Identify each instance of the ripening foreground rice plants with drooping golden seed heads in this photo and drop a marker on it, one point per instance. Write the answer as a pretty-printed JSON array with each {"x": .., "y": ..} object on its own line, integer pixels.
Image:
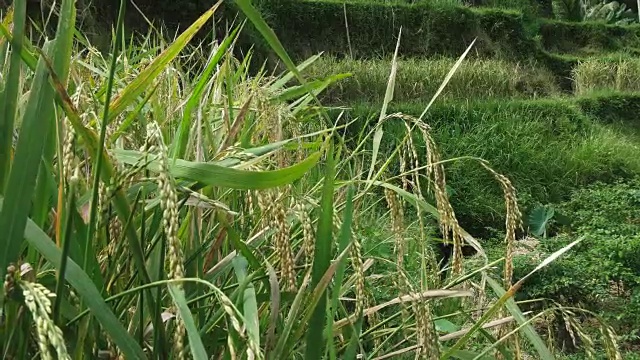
[{"x": 146, "y": 213}]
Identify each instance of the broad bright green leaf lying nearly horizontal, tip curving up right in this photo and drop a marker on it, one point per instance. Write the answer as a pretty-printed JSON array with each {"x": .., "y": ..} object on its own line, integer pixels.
[{"x": 216, "y": 175}]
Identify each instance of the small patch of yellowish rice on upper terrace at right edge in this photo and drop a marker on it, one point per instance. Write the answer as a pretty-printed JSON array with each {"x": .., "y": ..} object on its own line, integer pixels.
[{"x": 595, "y": 75}]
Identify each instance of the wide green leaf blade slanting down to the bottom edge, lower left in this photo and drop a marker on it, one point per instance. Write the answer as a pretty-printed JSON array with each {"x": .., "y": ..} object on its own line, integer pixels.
[{"x": 83, "y": 286}]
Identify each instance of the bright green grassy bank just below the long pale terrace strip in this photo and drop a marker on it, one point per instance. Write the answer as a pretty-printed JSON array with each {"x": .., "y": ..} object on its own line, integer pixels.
[{"x": 548, "y": 148}]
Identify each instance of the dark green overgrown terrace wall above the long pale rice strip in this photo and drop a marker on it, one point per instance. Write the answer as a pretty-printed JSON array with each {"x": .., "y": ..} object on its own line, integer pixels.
[{"x": 308, "y": 27}]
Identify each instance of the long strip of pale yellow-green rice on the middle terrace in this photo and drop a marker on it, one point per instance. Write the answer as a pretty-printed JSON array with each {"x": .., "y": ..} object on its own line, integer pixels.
[{"x": 418, "y": 80}]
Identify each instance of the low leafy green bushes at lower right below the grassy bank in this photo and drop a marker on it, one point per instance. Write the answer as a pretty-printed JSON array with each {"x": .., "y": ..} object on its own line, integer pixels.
[{"x": 601, "y": 273}]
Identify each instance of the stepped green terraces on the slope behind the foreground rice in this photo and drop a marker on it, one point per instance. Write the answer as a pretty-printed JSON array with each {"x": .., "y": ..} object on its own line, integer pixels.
[{"x": 550, "y": 103}]
